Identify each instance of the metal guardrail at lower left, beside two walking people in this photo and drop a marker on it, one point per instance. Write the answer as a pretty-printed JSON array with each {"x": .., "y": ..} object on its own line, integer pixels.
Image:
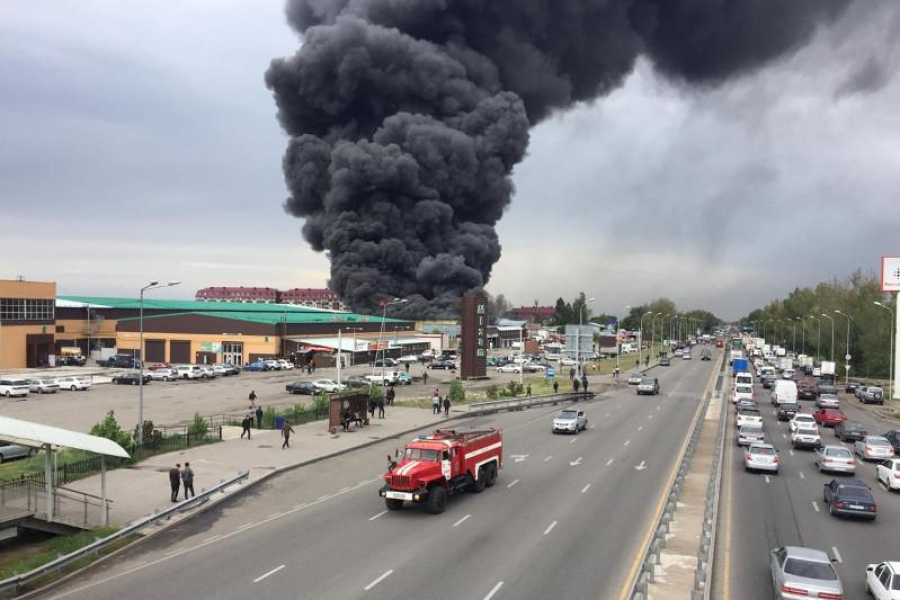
[{"x": 16, "y": 582}]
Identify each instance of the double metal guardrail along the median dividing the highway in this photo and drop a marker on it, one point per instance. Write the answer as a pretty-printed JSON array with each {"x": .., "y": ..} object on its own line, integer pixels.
[{"x": 638, "y": 587}]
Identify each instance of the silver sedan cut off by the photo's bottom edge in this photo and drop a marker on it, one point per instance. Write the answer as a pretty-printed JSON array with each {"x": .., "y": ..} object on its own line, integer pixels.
[{"x": 801, "y": 573}]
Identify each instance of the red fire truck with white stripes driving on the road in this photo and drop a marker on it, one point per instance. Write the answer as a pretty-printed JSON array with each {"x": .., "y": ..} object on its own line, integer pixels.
[{"x": 445, "y": 462}]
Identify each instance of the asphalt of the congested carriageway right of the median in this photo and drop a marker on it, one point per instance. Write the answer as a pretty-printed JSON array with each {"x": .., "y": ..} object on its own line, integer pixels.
[{"x": 760, "y": 513}]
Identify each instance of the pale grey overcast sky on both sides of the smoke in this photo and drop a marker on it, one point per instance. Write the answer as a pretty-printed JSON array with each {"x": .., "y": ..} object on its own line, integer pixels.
[{"x": 139, "y": 142}]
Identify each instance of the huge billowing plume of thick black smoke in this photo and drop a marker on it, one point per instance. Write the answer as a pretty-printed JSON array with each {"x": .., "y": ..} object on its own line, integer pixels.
[{"x": 406, "y": 117}]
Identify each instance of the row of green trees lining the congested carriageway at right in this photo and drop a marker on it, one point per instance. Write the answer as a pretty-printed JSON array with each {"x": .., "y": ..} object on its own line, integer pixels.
[{"x": 807, "y": 320}]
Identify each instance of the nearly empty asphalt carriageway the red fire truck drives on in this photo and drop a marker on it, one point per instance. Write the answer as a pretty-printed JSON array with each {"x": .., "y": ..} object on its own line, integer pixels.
[{"x": 566, "y": 519}]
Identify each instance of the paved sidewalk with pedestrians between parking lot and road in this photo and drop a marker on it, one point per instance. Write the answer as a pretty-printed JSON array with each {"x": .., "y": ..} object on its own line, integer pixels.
[{"x": 139, "y": 490}]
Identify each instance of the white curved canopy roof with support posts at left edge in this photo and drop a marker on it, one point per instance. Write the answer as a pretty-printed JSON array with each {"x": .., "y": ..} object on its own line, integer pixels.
[{"x": 36, "y": 435}]
